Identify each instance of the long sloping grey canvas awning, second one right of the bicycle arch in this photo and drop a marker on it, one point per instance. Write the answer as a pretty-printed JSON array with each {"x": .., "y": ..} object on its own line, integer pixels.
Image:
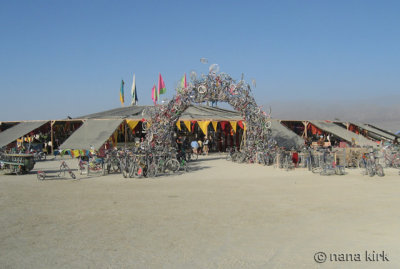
[{"x": 341, "y": 132}]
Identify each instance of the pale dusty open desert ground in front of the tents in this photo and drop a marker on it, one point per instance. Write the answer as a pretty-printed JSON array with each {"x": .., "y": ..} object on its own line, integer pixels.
[{"x": 221, "y": 215}]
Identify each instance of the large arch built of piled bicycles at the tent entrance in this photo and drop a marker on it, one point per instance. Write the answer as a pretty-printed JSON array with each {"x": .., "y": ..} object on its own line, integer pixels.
[{"x": 214, "y": 87}]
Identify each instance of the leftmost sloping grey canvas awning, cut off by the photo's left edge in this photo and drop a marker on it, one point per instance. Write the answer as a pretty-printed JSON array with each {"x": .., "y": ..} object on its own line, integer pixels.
[{"x": 19, "y": 130}]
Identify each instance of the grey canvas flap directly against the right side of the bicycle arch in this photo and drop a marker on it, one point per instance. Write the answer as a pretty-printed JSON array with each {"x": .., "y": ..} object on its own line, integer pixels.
[{"x": 284, "y": 136}]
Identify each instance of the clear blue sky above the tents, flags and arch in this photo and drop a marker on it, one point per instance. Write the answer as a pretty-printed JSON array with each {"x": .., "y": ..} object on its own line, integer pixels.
[{"x": 60, "y": 58}]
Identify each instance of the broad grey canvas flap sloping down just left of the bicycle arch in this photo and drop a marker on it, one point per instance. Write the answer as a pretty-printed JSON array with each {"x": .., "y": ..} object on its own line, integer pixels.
[{"x": 93, "y": 132}]
